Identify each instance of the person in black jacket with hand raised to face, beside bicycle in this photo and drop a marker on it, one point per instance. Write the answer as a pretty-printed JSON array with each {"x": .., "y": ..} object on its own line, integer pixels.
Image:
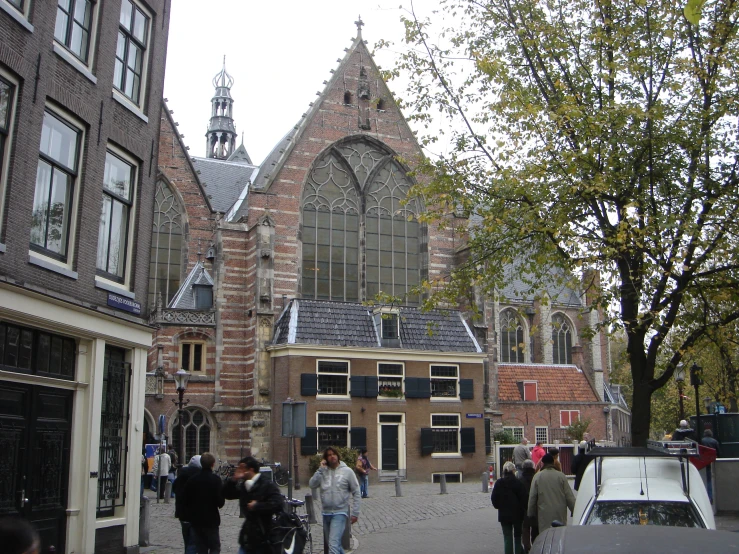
[{"x": 259, "y": 499}]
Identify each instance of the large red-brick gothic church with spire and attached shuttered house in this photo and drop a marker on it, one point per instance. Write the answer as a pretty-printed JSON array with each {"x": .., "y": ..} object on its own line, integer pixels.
[{"x": 295, "y": 278}]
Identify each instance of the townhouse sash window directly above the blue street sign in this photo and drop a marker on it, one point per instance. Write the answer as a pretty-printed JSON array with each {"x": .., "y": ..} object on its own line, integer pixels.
[{"x": 119, "y": 183}]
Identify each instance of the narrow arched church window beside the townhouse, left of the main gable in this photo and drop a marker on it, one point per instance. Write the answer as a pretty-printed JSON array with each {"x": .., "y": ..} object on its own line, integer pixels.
[{"x": 166, "y": 245}]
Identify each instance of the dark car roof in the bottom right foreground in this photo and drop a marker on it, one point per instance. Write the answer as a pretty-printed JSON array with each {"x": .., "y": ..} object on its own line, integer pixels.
[{"x": 634, "y": 539}]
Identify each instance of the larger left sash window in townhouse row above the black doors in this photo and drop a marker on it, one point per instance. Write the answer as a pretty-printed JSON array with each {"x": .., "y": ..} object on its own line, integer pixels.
[{"x": 56, "y": 179}]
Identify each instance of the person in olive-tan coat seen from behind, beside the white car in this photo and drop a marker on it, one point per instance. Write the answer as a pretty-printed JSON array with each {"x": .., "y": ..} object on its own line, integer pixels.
[{"x": 550, "y": 496}]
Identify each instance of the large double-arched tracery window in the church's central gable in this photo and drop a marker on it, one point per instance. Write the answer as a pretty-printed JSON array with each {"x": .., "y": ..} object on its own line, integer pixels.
[{"x": 354, "y": 210}]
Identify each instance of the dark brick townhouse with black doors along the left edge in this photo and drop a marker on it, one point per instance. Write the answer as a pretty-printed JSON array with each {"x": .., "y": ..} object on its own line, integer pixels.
[{"x": 80, "y": 99}]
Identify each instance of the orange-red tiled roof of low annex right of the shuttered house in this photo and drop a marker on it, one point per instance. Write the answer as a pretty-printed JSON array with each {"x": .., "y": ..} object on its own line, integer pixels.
[{"x": 555, "y": 383}]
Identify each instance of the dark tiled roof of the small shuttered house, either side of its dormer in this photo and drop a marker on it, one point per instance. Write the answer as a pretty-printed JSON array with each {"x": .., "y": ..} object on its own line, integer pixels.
[{"x": 353, "y": 325}]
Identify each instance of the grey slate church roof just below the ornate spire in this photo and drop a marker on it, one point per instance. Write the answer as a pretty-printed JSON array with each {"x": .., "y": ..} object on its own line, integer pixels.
[{"x": 224, "y": 181}]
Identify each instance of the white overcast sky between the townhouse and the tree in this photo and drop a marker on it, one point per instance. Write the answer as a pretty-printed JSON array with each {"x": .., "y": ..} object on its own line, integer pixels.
[{"x": 279, "y": 53}]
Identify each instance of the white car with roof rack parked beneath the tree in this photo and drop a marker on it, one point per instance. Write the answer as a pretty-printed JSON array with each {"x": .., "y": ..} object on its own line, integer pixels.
[{"x": 643, "y": 486}]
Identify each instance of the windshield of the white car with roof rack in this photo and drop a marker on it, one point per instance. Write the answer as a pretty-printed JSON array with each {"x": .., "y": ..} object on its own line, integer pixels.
[{"x": 676, "y": 514}]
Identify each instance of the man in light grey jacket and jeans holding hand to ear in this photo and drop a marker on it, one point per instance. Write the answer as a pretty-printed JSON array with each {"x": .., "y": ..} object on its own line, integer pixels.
[{"x": 337, "y": 483}]
